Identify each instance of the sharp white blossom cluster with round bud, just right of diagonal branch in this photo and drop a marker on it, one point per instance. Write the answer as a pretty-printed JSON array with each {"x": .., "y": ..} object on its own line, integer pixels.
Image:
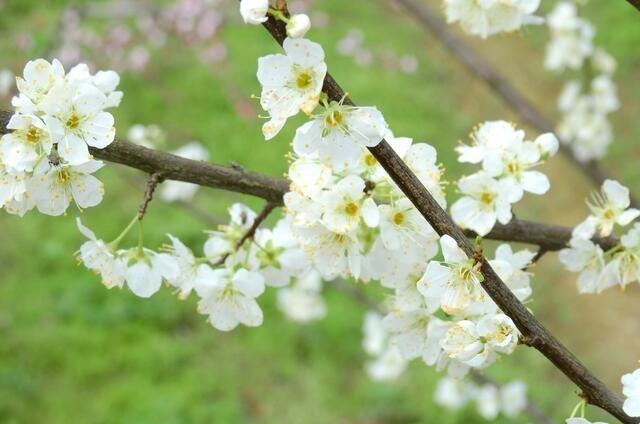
[{"x": 507, "y": 172}]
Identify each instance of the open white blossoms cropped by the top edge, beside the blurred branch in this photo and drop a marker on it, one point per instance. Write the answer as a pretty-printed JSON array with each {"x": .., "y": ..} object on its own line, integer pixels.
[{"x": 488, "y": 17}]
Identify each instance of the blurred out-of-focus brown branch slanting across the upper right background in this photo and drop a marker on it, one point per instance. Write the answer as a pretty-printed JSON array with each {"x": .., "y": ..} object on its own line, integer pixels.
[{"x": 498, "y": 83}]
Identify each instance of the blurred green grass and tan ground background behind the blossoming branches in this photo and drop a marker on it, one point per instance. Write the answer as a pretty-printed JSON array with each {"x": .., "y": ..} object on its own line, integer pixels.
[{"x": 73, "y": 352}]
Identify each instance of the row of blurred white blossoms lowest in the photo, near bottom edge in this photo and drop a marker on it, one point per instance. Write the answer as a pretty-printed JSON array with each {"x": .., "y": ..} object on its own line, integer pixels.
[{"x": 490, "y": 400}]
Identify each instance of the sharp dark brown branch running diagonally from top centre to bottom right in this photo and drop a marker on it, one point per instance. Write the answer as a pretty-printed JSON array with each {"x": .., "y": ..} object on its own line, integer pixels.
[{"x": 541, "y": 339}]
